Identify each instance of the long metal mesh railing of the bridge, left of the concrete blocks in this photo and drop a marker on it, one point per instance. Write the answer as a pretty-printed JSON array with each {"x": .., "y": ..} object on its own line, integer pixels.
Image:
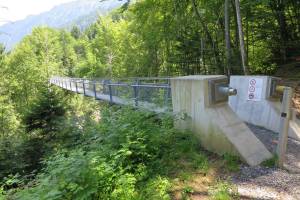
[{"x": 150, "y": 93}]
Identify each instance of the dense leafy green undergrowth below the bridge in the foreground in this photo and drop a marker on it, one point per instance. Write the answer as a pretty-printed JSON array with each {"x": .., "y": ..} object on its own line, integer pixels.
[{"x": 127, "y": 154}]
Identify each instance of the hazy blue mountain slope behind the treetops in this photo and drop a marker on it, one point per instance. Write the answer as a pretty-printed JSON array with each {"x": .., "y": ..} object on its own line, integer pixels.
[{"x": 79, "y": 12}]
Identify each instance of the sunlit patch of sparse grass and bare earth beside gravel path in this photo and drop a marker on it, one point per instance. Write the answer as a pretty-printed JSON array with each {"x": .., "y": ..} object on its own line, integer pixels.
[{"x": 192, "y": 183}]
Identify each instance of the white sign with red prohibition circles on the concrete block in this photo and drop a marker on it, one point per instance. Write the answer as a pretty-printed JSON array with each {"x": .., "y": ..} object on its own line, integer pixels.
[{"x": 255, "y": 89}]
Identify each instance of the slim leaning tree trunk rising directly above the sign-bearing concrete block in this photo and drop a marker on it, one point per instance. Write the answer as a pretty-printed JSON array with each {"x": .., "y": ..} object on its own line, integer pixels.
[{"x": 241, "y": 36}]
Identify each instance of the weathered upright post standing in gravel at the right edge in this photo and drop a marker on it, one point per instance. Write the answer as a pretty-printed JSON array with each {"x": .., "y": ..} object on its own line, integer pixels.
[{"x": 284, "y": 124}]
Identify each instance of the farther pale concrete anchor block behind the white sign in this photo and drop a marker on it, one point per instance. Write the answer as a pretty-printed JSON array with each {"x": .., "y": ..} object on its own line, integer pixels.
[{"x": 264, "y": 112}]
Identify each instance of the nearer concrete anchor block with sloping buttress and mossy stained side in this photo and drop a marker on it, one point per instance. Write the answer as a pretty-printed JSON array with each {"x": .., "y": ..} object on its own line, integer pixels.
[{"x": 218, "y": 128}]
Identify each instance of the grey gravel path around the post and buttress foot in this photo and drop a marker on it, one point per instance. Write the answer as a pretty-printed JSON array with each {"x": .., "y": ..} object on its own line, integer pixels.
[{"x": 264, "y": 183}]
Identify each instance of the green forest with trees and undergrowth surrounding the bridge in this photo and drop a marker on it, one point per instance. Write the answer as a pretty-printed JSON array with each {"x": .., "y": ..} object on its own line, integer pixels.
[{"x": 57, "y": 145}]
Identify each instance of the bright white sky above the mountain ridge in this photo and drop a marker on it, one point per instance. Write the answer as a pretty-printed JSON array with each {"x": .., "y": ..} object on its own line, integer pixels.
[{"x": 13, "y": 10}]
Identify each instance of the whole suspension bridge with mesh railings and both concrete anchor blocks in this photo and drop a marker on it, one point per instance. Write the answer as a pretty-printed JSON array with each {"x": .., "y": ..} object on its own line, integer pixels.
[{"x": 204, "y": 105}]
